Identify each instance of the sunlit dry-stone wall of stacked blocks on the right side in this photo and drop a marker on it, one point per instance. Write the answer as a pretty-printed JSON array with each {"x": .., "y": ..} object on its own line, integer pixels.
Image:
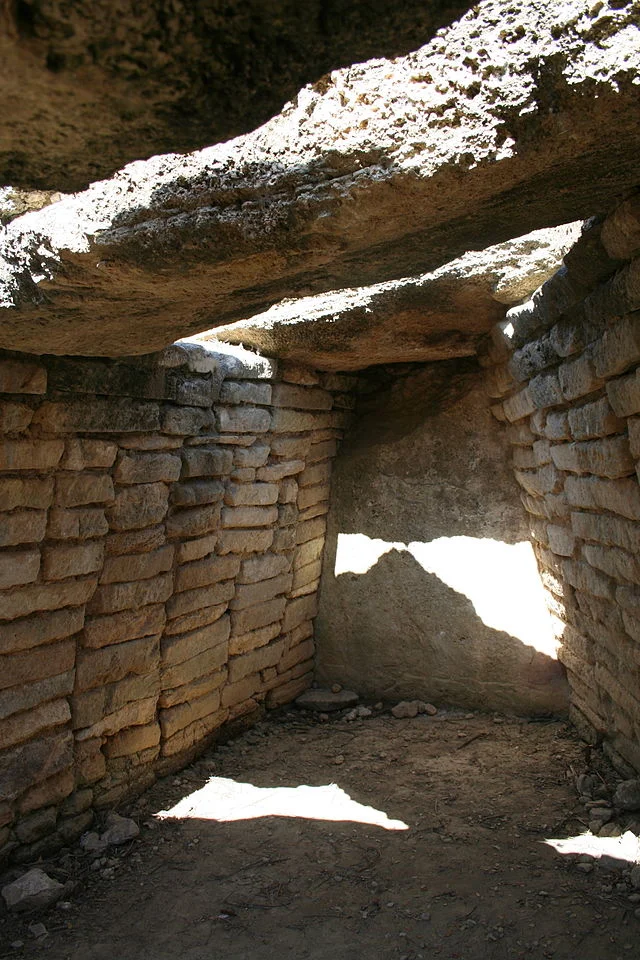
[{"x": 566, "y": 372}]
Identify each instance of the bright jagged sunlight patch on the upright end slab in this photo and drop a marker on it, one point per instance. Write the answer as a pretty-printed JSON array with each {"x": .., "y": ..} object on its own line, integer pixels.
[{"x": 500, "y": 579}]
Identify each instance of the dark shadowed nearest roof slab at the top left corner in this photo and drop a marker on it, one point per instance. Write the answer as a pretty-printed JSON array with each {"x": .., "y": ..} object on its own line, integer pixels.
[{"x": 87, "y": 87}]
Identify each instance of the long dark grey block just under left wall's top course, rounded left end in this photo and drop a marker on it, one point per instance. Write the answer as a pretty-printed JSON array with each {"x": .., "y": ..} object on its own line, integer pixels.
[{"x": 99, "y": 415}]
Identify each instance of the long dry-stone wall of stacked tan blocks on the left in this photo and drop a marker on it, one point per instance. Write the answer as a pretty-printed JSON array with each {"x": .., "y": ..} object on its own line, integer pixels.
[{"x": 161, "y": 533}]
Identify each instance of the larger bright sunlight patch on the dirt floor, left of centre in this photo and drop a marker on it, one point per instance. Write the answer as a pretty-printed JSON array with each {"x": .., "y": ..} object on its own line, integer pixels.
[{"x": 226, "y": 800}]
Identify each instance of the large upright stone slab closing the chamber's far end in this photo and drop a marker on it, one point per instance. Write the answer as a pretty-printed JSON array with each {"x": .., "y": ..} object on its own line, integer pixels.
[{"x": 430, "y": 588}]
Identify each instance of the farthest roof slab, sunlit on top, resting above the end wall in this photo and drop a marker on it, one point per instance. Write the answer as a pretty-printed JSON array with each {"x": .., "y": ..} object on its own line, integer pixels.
[{"x": 411, "y": 320}]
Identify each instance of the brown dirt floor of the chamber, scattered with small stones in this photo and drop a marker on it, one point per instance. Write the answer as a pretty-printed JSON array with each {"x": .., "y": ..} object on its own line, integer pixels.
[{"x": 470, "y": 878}]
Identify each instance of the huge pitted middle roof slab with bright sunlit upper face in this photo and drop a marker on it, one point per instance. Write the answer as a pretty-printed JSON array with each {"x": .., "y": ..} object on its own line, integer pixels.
[{"x": 504, "y": 123}]
